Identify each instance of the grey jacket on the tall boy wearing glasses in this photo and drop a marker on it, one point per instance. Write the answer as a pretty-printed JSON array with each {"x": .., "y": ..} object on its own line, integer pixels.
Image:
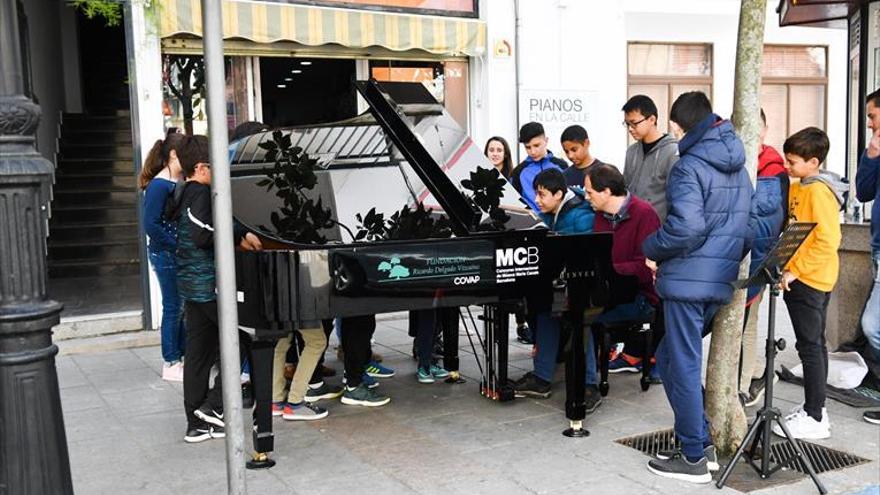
[{"x": 646, "y": 175}]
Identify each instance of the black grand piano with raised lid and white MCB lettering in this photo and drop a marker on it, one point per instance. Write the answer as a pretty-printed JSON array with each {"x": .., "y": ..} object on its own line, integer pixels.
[{"x": 406, "y": 151}]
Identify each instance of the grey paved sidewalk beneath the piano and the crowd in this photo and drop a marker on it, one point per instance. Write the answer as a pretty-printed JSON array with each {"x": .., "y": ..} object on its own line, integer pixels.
[{"x": 125, "y": 430}]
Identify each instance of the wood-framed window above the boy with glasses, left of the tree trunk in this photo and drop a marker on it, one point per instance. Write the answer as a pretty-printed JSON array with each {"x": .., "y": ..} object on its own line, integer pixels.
[{"x": 665, "y": 71}]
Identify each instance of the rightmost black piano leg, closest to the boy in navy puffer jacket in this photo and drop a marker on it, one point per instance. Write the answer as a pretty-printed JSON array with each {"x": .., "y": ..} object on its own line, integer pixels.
[{"x": 575, "y": 369}]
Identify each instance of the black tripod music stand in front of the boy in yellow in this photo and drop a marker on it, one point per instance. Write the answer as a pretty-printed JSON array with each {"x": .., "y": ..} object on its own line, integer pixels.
[{"x": 770, "y": 273}]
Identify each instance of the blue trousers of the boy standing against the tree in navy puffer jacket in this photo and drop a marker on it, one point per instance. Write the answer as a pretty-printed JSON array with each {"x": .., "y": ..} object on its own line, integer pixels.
[{"x": 680, "y": 362}]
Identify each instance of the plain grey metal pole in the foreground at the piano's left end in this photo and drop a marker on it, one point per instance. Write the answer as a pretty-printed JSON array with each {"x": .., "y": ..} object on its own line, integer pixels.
[{"x": 224, "y": 262}]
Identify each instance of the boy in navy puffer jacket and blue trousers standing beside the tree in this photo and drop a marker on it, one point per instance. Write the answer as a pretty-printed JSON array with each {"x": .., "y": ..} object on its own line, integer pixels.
[{"x": 698, "y": 250}]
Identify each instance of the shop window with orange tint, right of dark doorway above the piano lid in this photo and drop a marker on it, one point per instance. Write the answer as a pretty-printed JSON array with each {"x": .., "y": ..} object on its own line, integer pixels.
[{"x": 447, "y": 81}]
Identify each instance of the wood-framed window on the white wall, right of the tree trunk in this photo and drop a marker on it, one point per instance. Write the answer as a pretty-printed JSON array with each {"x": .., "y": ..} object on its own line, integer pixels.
[{"x": 793, "y": 90}]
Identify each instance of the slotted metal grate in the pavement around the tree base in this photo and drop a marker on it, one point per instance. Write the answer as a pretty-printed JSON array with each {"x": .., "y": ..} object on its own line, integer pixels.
[{"x": 824, "y": 459}]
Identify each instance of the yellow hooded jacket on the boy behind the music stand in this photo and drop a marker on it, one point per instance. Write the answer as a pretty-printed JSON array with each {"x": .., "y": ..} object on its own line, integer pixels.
[{"x": 817, "y": 199}]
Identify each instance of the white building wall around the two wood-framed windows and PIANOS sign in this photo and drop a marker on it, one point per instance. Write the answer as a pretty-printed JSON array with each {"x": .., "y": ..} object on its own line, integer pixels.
[{"x": 581, "y": 45}]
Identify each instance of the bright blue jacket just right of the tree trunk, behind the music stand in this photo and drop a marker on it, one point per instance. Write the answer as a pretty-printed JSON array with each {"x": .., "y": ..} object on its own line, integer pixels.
[{"x": 765, "y": 224}]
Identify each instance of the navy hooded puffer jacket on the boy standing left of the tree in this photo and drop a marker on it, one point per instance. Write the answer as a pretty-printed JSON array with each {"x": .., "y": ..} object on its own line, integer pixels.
[{"x": 699, "y": 246}]
